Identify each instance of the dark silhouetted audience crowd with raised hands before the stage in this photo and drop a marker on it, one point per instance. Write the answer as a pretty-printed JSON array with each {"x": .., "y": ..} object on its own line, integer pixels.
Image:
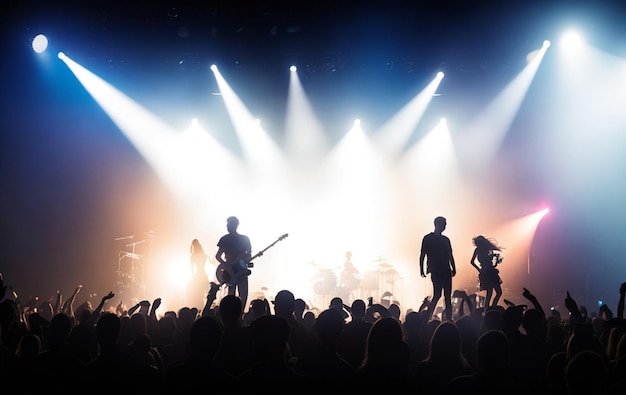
[{"x": 279, "y": 346}]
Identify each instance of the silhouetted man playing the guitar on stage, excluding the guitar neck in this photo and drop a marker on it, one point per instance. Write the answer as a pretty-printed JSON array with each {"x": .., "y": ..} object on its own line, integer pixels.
[{"x": 233, "y": 254}]
